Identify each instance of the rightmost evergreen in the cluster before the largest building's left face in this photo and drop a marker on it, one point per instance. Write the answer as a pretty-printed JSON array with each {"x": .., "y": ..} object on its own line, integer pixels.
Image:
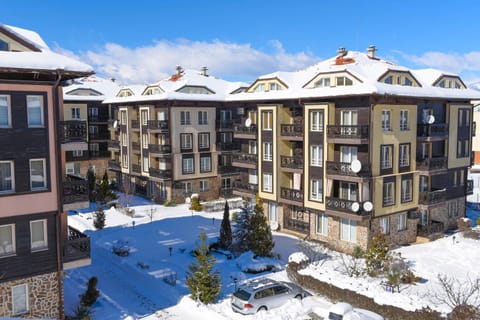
[{"x": 259, "y": 234}]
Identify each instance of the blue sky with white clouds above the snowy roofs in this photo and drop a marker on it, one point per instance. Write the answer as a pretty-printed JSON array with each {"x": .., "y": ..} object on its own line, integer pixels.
[{"x": 142, "y": 41}]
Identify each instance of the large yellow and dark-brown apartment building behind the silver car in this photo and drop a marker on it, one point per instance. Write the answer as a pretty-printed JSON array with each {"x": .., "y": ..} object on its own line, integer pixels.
[{"x": 356, "y": 145}]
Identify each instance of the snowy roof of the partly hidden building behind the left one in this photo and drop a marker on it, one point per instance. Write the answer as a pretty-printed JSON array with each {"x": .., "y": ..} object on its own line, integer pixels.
[{"x": 100, "y": 87}]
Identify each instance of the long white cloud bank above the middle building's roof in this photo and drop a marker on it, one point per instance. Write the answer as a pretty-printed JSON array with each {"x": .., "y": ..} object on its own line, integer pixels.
[{"x": 230, "y": 61}]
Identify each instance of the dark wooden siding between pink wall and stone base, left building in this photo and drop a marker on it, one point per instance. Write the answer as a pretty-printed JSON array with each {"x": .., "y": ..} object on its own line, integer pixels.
[{"x": 25, "y": 262}]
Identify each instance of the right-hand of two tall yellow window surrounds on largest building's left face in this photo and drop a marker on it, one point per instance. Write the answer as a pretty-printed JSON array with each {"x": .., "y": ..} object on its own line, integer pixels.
[{"x": 328, "y": 117}]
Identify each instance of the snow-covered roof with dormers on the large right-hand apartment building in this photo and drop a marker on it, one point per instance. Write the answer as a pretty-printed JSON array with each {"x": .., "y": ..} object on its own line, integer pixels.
[{"x": 367, "y": 71}]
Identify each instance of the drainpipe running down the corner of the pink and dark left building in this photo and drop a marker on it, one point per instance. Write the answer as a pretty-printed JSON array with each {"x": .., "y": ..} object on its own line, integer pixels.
[{"x": 58, "y": 167}]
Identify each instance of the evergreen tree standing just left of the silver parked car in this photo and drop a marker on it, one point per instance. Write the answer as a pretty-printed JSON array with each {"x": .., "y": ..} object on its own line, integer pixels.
[{"x": 204, "y": 283}]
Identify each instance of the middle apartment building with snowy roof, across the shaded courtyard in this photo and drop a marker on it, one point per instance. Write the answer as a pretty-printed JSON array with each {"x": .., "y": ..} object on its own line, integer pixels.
[{"x": 174, "y": 138}]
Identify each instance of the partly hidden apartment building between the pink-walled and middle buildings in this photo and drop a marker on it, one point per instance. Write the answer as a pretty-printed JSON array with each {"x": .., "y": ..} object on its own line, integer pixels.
[{"x": 83, "y": 100}]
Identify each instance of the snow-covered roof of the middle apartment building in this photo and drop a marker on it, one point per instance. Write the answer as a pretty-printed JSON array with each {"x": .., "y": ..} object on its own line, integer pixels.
[{"x": 218, "y": 89}]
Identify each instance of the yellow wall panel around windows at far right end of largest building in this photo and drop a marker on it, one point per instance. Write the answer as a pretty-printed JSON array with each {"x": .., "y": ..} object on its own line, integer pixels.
[{"x": 452, "y": 120}]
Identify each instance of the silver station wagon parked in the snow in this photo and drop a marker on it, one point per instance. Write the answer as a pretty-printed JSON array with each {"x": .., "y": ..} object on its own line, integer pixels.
[{"x": 264, "y": 294}]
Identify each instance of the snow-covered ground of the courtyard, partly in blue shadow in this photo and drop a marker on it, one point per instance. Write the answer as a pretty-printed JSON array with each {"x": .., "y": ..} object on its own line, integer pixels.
[{"x": 134, "y": 287}]
